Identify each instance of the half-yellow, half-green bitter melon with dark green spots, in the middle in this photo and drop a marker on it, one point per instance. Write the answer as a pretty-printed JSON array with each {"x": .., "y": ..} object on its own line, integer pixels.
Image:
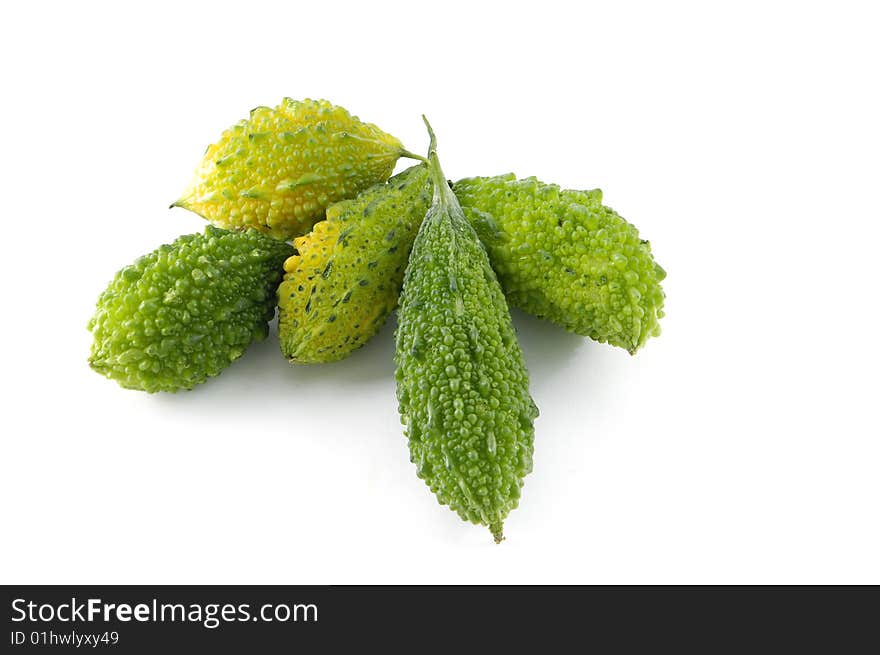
[{"x": 339, "y": 289}]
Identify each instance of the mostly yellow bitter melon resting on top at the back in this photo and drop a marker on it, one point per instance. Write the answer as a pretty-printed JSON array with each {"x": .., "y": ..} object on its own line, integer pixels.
[{"x": 278, "y": 170}]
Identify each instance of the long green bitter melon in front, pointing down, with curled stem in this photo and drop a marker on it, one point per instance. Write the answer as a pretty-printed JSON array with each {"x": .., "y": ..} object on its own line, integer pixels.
[{"x": 462, "y": 384}]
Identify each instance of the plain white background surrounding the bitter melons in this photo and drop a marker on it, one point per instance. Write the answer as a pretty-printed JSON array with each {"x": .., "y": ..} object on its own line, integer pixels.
[{"x": 739, "y": 447}]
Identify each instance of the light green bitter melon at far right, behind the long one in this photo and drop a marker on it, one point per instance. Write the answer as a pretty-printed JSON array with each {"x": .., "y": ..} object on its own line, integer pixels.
[{"x": 562, "y": 255}]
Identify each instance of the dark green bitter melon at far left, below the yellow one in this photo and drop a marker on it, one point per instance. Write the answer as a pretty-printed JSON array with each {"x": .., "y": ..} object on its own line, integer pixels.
[{"x": 184, "y": 312}]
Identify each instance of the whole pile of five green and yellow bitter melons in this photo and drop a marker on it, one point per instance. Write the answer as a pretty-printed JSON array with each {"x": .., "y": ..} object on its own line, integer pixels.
[{"x": 452, "y": 256}]
